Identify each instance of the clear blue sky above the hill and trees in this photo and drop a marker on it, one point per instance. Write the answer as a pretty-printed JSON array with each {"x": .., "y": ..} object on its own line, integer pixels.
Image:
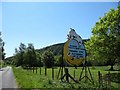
[{"x": 44, "y": 24}]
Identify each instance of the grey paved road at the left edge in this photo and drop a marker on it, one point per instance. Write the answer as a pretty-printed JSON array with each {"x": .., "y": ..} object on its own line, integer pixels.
[{"x": 7, "y": 79}]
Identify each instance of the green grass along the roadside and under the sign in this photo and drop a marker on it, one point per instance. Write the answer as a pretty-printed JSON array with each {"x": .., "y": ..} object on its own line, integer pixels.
[{"x": 28, "y": 79}]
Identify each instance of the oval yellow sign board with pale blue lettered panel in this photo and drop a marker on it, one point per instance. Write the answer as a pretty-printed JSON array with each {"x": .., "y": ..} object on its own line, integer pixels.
[{"x": 74, "y": 50}]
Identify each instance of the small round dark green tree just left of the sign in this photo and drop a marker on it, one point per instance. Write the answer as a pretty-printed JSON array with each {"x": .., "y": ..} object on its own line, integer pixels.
[{"x": 48, "y": 59}]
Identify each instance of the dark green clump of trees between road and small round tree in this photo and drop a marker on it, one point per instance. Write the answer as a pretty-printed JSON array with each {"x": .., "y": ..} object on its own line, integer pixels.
[{"x": 25, "y": 56}]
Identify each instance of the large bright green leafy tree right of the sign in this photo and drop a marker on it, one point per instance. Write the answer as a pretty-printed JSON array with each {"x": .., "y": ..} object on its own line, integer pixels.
[{"x": 105, "y": 41}]
